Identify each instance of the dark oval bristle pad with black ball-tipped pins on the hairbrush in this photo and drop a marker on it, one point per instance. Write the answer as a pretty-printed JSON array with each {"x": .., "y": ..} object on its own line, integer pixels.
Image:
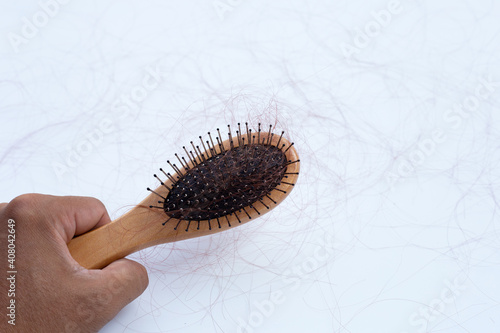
[{"x": 220, "y": 182}]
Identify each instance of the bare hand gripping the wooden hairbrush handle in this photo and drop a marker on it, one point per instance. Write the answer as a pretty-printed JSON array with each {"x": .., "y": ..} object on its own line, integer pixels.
[{"x": 53, "y": 293}]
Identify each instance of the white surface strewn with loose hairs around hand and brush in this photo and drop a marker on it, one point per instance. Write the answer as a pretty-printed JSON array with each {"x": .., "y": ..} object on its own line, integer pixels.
[{"x": 365, "y": 243}]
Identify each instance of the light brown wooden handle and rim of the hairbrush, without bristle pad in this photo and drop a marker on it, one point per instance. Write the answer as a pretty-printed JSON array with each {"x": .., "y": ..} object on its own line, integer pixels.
[{"x": 143, "y": 227}]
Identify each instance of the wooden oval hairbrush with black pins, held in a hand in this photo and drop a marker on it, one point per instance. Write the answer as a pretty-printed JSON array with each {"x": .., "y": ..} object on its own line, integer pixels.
[{"x": 219, "y": 185}]
